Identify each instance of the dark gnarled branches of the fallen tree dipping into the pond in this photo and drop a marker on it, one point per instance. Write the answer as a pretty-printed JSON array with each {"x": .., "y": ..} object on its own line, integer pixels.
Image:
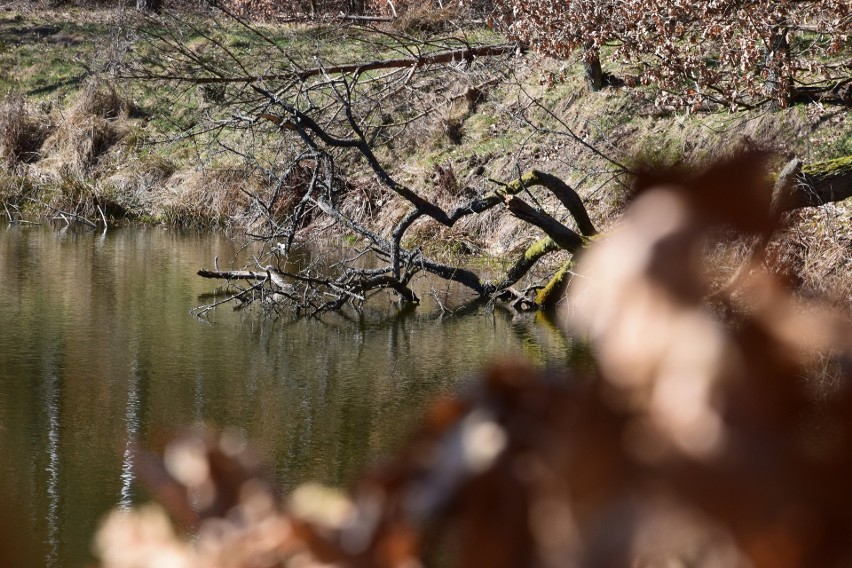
[{"x": 308, "y": 290}]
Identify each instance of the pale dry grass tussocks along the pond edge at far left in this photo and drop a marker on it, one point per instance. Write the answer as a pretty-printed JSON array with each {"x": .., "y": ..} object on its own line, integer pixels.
[{"x": 81, "y": 167}]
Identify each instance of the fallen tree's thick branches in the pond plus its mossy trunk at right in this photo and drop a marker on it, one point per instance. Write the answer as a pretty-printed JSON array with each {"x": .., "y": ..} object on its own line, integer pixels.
[{"x": 814, "y": 185}]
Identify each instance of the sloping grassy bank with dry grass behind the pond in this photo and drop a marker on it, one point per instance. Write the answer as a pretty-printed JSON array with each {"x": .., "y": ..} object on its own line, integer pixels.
[{"x": 78, "y": 143}]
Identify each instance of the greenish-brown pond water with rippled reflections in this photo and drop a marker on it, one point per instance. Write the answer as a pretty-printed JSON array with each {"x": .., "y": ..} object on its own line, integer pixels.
[{"x": 99, "y": 354}]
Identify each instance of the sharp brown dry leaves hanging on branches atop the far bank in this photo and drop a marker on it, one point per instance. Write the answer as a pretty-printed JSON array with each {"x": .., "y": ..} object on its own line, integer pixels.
[{"x": 729, "y": 52}]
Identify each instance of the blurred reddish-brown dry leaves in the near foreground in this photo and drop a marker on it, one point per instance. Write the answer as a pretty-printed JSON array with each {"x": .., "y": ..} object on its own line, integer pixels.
[{"x": 691, "y": 442}]
